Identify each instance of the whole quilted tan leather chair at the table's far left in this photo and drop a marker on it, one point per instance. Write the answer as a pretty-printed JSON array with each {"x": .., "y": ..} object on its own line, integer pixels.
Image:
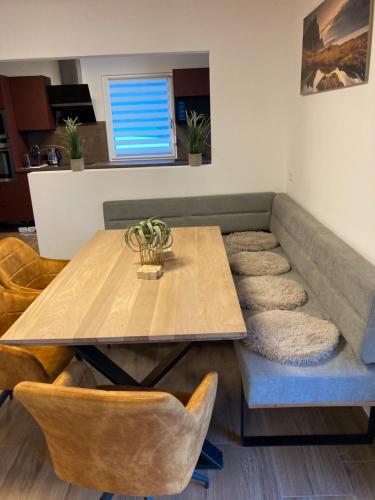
[{"x": 21, "y": 268}]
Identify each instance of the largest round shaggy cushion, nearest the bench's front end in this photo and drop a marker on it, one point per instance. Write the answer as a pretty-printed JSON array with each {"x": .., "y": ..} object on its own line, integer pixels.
[{"x": 290, "y": 337}]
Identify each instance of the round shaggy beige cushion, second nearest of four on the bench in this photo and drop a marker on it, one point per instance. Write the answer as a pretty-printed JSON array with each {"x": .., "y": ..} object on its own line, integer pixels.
[{"x": 265, "y": 293}]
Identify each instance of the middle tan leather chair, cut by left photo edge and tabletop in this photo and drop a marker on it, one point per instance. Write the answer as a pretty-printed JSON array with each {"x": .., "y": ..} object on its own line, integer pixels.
[{"x": 41, "y": 364}]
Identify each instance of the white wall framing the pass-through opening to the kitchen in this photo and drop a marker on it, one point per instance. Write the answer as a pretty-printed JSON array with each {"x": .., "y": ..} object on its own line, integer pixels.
[{"x": 249, "y": 69}]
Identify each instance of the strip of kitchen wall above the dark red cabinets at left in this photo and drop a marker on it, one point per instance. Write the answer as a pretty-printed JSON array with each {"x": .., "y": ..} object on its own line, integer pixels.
[{"x": 29, "y": 68}]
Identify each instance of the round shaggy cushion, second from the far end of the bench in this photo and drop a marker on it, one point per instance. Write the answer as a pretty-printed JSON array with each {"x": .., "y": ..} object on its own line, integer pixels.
[{"x": 258, "y": 263}]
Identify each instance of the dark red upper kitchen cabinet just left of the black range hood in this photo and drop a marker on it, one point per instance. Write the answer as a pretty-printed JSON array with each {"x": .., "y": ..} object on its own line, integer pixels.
[{"x": 30, "y": 103}]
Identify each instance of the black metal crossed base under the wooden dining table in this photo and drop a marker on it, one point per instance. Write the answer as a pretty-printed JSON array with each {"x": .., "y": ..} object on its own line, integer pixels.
[{"x": 211, "y": 457}]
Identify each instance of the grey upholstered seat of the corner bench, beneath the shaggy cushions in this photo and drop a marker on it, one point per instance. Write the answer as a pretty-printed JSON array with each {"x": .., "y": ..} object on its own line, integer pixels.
[{"x": 340, "y": 379}]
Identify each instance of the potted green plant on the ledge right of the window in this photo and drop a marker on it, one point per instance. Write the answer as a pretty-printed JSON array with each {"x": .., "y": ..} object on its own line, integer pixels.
[{"x": 199, "y": 128}]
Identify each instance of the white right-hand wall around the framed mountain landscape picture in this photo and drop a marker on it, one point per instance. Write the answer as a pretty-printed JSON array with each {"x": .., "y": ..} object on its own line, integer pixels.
[{"x": 332, "y": 148}]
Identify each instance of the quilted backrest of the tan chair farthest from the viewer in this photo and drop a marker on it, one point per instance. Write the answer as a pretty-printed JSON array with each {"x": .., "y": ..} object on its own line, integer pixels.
[{"x": 19, "y": 264}]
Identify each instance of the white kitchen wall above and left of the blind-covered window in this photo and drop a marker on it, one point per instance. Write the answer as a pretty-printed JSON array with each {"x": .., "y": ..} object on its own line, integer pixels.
[{"x": 94, "y": 68}]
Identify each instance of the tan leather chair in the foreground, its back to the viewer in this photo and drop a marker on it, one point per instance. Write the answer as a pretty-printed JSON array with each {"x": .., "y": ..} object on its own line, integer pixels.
[{"x": 130, "y": 442}]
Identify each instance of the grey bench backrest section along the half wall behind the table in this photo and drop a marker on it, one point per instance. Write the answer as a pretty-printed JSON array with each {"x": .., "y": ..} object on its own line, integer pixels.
[{"x": 234, "y": 212}]
